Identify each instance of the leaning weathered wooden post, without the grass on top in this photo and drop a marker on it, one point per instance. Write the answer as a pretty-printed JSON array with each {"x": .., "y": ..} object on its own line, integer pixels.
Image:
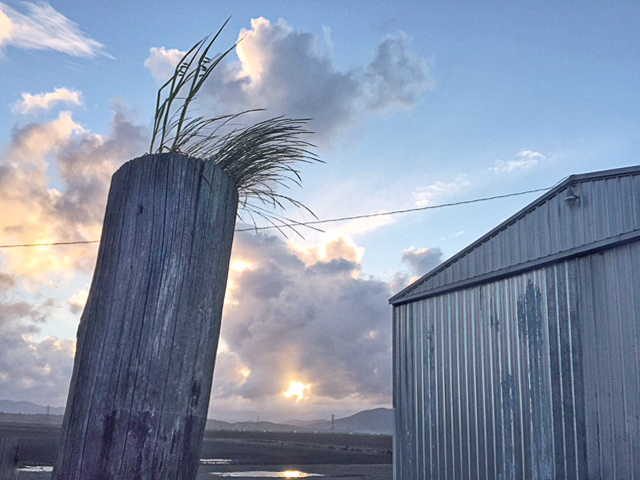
[{"x": 148, "y": 335}]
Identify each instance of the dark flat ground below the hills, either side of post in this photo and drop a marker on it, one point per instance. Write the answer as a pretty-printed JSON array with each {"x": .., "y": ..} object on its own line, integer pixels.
[{"x": 334, "y": 455}]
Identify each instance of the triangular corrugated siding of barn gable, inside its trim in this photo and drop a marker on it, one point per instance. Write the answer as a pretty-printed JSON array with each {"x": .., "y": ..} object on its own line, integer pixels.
[{"x": 607, "y": 207}]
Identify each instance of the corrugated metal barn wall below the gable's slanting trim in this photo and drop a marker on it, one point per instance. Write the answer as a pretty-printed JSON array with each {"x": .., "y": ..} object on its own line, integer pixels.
[{"x": 532, "y": 376}]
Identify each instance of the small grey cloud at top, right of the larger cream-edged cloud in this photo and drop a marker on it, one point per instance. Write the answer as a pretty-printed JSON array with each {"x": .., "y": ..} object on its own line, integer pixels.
[{"x": 396, "y": 76}]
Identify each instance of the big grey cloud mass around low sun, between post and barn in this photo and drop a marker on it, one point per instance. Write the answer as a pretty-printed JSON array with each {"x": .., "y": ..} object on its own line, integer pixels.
[{"x": 304, "y": 316}]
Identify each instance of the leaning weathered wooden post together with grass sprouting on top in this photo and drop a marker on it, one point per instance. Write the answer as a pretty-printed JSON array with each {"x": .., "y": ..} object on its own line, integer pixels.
[{"x": 147, "y": 338}]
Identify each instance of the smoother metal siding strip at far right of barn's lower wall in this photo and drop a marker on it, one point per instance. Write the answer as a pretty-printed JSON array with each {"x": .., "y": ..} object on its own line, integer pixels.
[{"x": 609, "y": 308}]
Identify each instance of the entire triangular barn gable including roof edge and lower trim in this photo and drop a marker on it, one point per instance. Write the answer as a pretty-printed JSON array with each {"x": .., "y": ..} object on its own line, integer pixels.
[{"x": 581, "y": 214}]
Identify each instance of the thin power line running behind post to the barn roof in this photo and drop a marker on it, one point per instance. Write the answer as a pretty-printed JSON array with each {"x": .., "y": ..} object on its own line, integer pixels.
[{"x": 318, "y": 222}]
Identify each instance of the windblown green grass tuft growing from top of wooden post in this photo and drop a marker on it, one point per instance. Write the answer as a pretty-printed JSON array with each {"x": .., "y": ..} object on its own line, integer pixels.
[{"x": 260, "y": 158}]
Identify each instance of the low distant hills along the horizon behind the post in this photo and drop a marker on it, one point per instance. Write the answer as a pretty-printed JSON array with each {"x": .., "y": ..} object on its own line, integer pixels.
[{"x": 376, "y": 421}]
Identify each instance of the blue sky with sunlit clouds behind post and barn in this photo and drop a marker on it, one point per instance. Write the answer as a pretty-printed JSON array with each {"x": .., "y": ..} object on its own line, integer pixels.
[{"x": 412, "y": 104}]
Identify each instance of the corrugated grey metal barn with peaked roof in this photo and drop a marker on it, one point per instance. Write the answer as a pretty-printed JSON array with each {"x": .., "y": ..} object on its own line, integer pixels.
[{"x": 519, "y": 357}]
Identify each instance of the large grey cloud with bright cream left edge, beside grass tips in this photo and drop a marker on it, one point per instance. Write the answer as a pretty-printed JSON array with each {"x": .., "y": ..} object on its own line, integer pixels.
[{"x": 282, "y": 70}]
